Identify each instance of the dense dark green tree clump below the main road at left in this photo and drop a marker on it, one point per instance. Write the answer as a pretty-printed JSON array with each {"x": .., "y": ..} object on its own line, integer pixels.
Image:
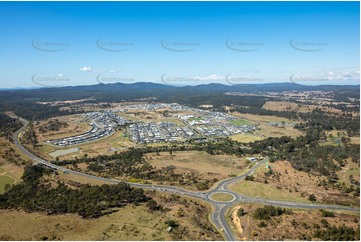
[{"x": 35, "y": 195}]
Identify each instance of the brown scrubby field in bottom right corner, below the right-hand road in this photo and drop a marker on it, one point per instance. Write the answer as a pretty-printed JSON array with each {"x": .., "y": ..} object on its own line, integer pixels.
[{"x": 287, "y": 226}]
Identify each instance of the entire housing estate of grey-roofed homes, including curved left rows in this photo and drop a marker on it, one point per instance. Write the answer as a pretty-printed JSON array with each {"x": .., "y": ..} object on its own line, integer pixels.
[{"x": 199, "y": 124}]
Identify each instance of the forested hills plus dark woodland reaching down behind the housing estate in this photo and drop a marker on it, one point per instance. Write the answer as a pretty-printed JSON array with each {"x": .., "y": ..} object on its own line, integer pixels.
[{"x": 24, "y": 102}]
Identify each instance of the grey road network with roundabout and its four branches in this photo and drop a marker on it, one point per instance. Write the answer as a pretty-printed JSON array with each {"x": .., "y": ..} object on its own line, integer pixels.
[{"x": 218, "y": 216}]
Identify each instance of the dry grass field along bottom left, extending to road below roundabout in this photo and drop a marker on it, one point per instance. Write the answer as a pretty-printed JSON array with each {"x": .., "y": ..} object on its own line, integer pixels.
[{"x": 133, "y": 223}]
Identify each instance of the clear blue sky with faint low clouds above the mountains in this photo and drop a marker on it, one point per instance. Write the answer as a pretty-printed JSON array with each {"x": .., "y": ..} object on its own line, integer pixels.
[{"x": 178, "y": 43}]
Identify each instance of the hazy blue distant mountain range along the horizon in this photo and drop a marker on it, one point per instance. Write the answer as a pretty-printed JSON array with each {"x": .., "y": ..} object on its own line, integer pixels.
[{"x": 118, "y": 91}]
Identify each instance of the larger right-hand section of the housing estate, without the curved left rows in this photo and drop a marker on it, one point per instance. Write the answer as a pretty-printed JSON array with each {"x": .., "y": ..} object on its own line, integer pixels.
[{"x": 199, "y": 124}]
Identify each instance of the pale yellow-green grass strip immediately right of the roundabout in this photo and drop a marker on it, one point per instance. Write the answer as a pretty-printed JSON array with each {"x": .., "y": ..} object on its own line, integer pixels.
[{"x": 261, "y": 190}]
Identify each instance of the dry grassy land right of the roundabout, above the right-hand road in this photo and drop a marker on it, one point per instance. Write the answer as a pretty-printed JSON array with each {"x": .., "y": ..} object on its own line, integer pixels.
[{"x": 292, "y": 185}]
